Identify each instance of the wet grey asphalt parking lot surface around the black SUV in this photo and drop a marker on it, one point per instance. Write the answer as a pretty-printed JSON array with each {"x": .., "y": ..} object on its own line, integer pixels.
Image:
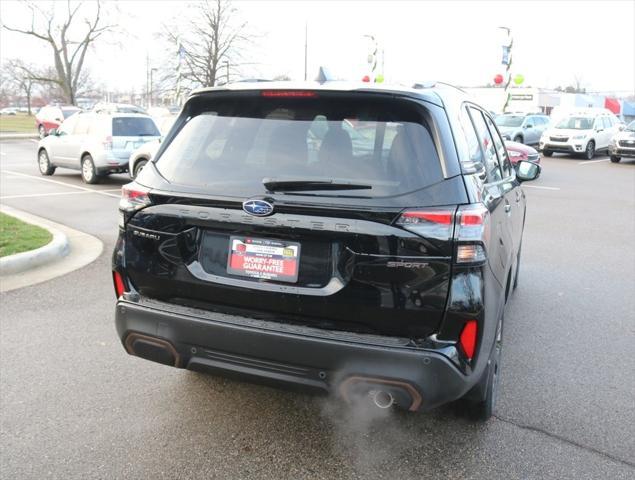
[{"x": 75, "y": 405}]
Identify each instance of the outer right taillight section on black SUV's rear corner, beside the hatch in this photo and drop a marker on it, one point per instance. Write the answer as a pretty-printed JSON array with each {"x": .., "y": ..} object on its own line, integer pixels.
[{"x": 472, "y": 233}]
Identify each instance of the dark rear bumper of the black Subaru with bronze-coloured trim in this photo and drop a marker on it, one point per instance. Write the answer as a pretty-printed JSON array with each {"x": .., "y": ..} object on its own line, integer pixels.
[{"x": 268, "y": 352}]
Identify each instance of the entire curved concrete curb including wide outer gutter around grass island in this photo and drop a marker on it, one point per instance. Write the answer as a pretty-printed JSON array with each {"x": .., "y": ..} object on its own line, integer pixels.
[{"x": 69, "y": 250}]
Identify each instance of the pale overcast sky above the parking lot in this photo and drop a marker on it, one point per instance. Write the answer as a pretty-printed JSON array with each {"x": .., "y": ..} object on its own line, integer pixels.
[{"x": 454, "y": 41}]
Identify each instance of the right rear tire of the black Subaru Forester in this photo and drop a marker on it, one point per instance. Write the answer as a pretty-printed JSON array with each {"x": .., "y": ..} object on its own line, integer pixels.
[{"x": 482, "y": 409}]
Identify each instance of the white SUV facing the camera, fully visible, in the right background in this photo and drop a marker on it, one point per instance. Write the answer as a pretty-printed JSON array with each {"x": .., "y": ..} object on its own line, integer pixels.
[{"x": 583, "y": 133}]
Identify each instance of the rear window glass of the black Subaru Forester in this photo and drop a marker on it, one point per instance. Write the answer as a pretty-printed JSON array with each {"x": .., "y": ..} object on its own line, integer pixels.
[{"x": 229, "y": 147}]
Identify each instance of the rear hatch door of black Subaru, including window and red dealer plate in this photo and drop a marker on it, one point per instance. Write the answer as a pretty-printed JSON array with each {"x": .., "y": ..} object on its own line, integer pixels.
[{"x": 289, "y": 209}]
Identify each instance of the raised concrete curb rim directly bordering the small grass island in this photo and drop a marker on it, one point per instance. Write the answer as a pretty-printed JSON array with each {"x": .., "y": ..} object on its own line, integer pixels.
[{"x": 19, "y": 262}]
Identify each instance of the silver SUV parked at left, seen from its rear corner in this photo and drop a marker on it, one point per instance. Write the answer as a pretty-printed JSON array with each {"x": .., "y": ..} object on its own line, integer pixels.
[{"x": 97, "y": 144}]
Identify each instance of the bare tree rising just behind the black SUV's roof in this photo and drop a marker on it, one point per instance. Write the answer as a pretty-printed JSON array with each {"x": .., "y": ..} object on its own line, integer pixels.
[{"x": 212, "y": 42}]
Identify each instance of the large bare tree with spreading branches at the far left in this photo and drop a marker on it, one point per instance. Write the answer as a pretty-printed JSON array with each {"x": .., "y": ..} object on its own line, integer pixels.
[{"x": 68, "y": 39}]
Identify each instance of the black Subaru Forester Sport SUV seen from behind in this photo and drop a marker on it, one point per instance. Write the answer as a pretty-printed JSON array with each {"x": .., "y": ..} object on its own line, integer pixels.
[{"x": 352, "y": 239}]
